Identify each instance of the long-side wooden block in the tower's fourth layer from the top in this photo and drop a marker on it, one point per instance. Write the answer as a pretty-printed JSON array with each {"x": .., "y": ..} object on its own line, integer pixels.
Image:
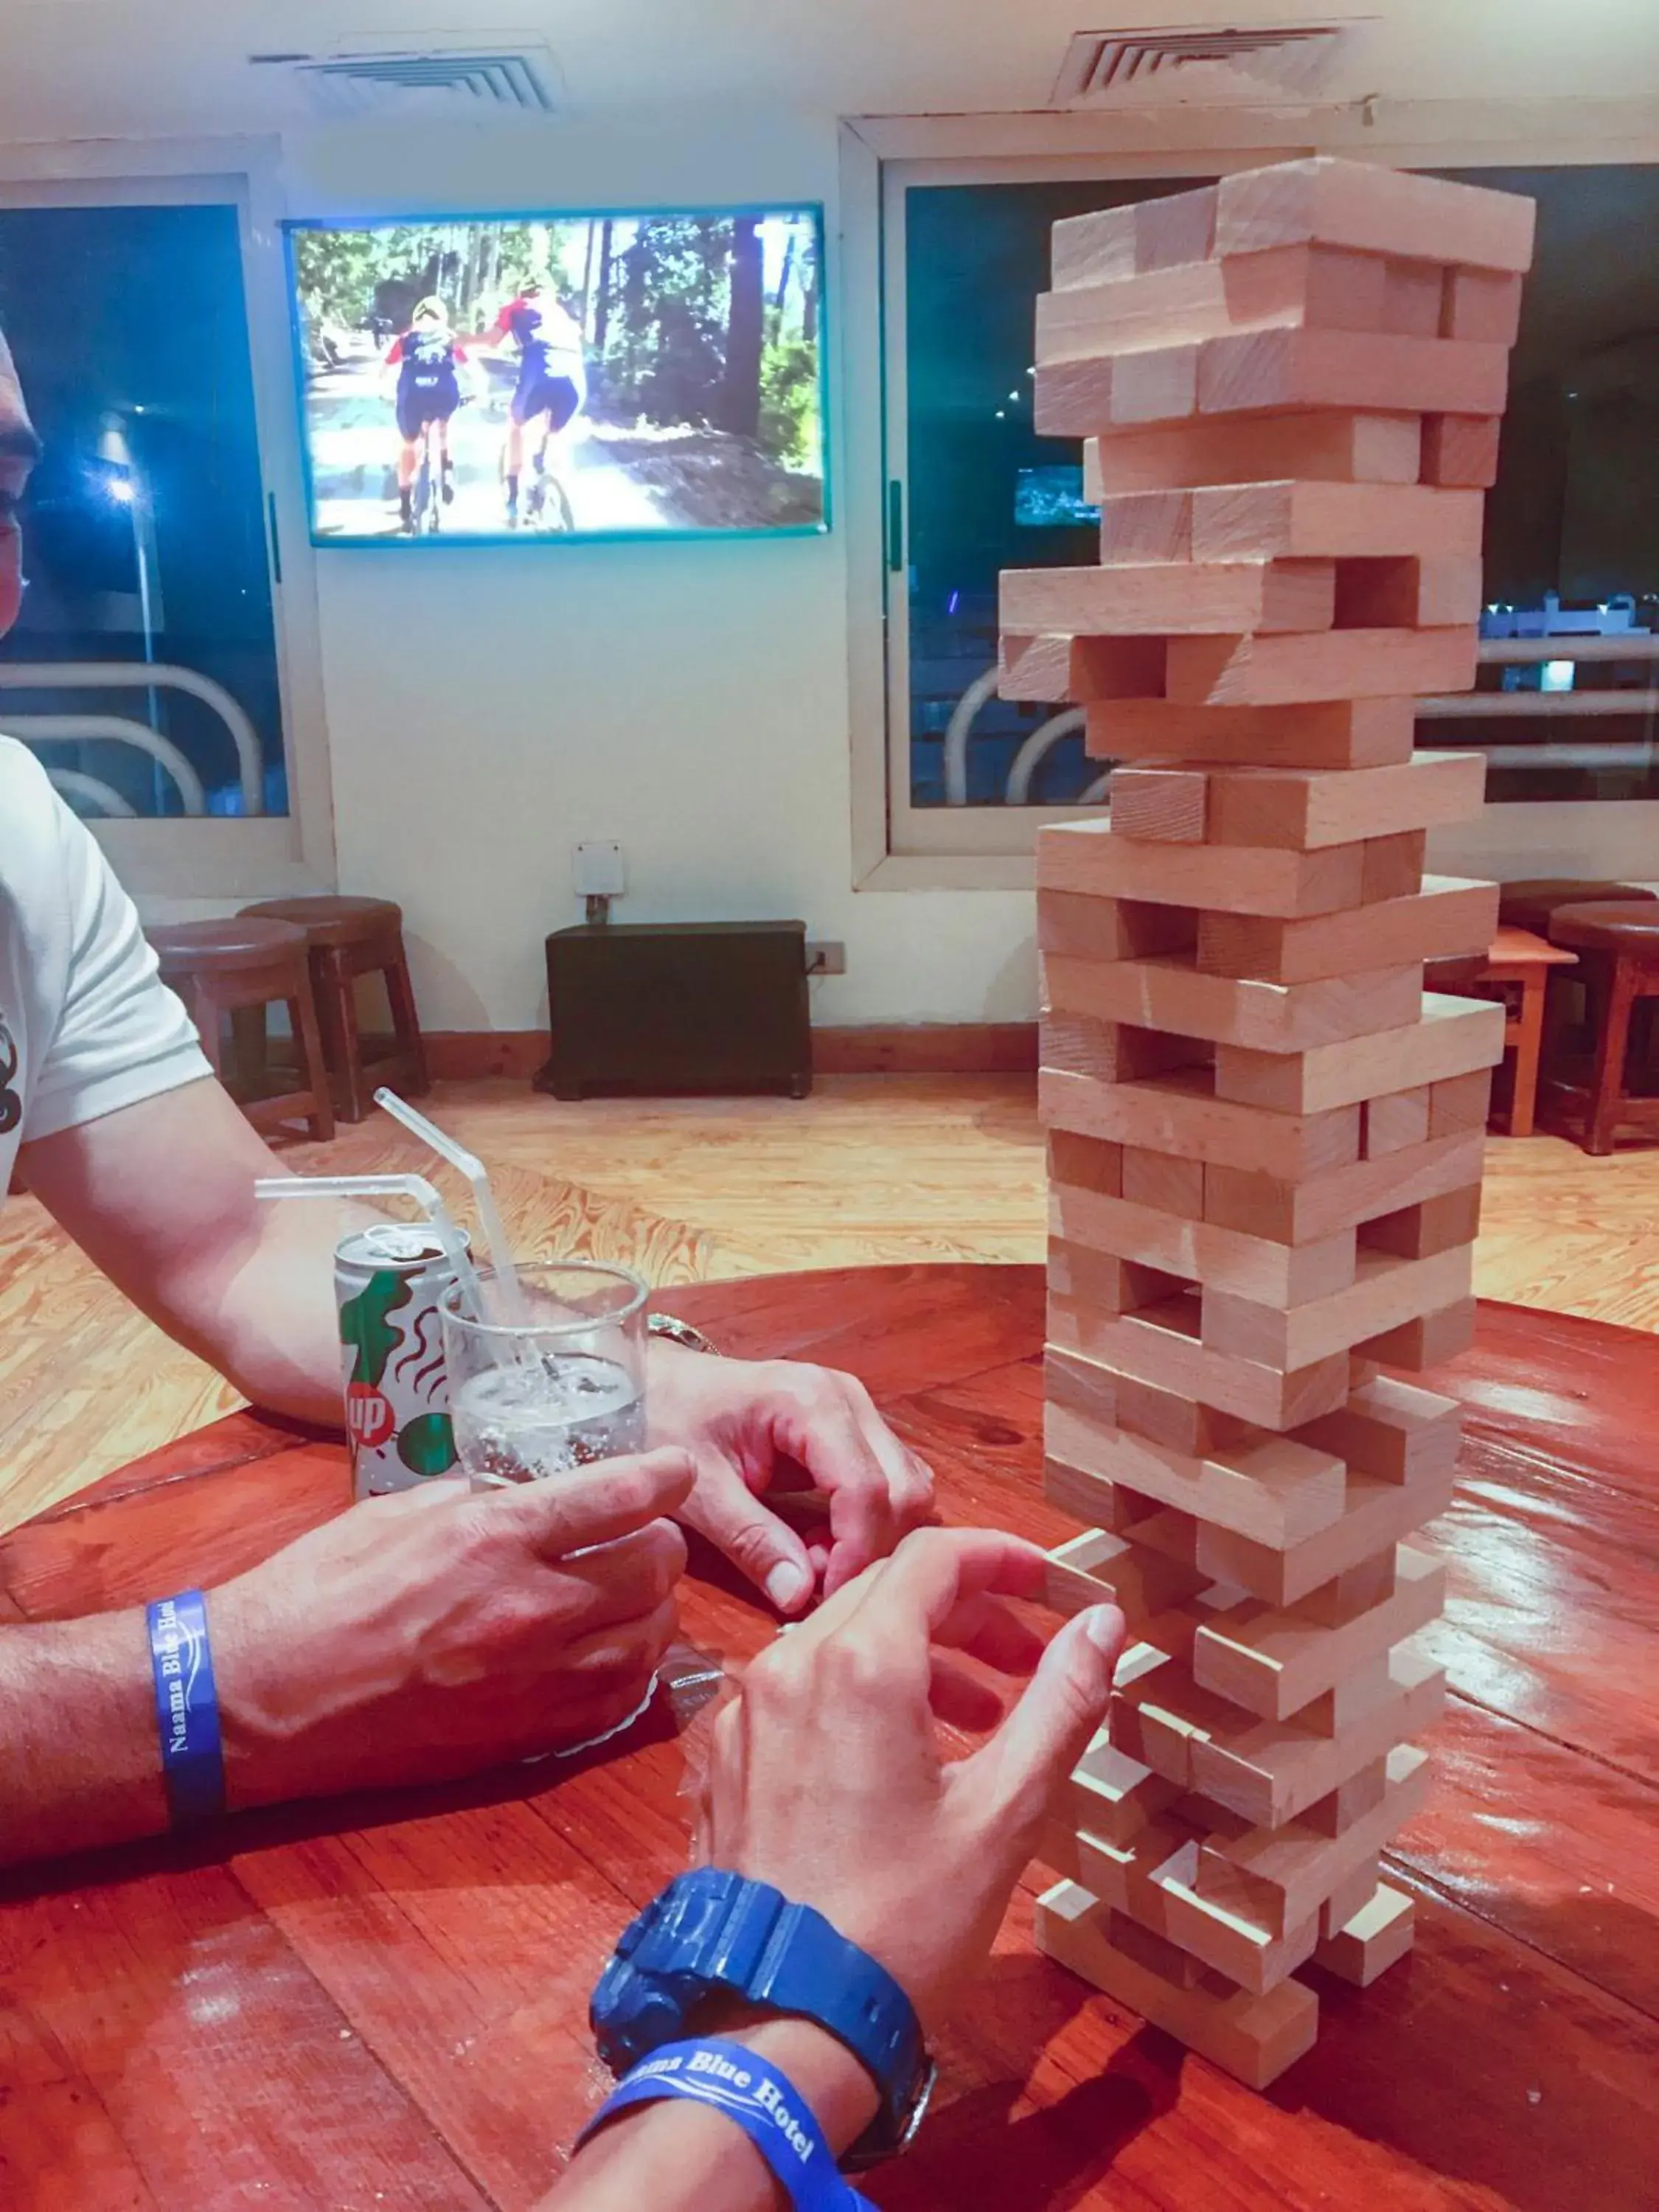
[{"x": 1328, "y": 448}]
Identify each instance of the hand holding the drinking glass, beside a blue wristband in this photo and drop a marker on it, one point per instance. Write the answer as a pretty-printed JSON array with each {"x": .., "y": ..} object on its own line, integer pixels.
[{"x": 439, "y": 1634}]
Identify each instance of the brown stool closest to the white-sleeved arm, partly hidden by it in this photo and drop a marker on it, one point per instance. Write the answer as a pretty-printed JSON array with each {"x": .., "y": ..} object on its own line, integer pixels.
[{"x": 238, "y": 966}]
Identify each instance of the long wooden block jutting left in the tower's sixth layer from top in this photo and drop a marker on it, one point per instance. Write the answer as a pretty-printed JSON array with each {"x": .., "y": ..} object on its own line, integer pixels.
[{"x": 1182, "y": 596}]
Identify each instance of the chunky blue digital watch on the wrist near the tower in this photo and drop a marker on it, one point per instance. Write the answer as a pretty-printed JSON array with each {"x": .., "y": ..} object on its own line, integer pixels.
[{"x": 716, "y": 1934}]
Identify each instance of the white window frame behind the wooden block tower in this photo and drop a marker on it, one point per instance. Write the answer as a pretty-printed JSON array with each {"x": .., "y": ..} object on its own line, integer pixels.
[{"x": 906, "y": 848}]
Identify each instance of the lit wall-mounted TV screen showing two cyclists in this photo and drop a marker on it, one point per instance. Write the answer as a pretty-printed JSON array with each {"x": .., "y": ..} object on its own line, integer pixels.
[{"x": 563, "y": 377}]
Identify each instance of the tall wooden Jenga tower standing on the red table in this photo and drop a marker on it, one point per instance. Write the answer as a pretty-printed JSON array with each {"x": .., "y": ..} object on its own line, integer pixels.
[{"x": 1266, "y": 1140}]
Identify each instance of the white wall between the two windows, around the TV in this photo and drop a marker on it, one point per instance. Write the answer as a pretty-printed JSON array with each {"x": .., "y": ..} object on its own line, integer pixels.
[{"x": 492, "y": 707}]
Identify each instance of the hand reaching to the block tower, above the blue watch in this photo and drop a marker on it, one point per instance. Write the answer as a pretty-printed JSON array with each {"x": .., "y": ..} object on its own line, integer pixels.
[{"x": 826, "y": 1773}]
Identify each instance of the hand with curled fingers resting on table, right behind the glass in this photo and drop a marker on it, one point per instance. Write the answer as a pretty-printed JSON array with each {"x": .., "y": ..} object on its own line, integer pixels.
[{"x": 740, "y": 1419}]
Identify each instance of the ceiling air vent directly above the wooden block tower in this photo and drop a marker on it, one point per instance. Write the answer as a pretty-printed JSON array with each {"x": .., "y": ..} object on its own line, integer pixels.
[{"x": 1202, "y": 65}]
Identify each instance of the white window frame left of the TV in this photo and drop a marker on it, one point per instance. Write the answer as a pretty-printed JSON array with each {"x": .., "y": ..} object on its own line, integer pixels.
[{"x": 225, "y": 857}]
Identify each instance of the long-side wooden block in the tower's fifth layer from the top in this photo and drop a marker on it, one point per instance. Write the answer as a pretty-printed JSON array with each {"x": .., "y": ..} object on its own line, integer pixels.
[{"x": 1311, "y": 521}]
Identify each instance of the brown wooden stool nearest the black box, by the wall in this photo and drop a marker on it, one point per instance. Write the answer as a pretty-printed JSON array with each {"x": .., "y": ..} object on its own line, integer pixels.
[{"x": 348, "y": 939}]
